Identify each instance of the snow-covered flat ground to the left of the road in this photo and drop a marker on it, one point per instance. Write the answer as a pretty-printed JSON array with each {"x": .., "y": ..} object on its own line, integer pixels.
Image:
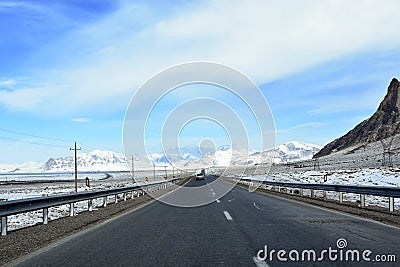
[{"x": 97, "y": 182}]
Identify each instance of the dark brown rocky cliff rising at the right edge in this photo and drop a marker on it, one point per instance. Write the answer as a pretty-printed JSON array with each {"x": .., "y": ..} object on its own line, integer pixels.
[{"x": 385, "y": 122}]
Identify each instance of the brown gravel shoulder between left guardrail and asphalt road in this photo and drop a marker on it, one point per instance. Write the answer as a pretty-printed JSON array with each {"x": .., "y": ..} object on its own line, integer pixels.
[{"x": 26, "y": 240}]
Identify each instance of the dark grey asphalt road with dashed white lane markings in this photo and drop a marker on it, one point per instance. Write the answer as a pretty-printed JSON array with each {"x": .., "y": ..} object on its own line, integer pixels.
[{"x": 228, "y": 232}]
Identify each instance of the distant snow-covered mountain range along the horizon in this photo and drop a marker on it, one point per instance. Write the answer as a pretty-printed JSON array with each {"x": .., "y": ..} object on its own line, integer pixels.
[{"x": 99, "y": 160}]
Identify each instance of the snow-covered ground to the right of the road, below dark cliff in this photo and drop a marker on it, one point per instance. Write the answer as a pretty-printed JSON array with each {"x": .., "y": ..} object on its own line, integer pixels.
[{"x": 366, "y": 177}]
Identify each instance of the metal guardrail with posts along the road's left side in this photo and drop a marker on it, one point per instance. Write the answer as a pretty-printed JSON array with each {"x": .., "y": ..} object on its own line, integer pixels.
[{"x": 18, "y": 206}]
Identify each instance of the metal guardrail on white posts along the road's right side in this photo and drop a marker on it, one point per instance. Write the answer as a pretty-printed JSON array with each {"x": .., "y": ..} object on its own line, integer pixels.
[{"x": 383, "y": 191}]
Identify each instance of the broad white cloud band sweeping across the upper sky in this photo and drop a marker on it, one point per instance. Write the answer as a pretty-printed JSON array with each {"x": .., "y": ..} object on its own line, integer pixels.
[{"x": 111, "y": 60}]
